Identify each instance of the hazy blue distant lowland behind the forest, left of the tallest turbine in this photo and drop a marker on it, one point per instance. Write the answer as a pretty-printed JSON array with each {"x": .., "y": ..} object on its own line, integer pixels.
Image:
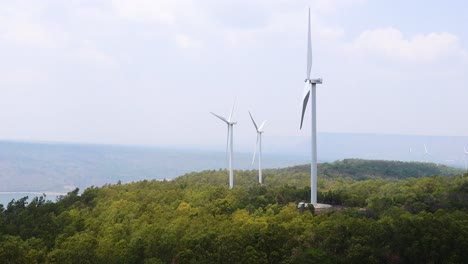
[{"x": 41, "y": 167}]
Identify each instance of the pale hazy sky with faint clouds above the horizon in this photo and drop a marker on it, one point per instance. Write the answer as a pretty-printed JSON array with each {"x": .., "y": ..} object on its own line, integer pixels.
[{"x": 149, "y": 72}]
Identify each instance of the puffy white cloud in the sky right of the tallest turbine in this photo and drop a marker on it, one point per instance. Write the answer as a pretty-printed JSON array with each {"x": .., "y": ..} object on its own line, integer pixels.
[{"x": 390, "y": 43}]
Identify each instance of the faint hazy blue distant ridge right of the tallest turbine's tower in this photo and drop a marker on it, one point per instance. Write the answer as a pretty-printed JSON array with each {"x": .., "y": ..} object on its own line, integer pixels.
[{"x": 446, "y": 150}]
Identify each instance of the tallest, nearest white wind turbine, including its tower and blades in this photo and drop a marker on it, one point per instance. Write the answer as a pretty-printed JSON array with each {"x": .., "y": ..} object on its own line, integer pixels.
[{"x": 308, "y": 90}]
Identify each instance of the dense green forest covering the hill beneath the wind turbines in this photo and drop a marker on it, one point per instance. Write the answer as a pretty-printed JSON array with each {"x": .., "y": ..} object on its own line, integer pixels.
[{"x": 385, "y": 212}]
